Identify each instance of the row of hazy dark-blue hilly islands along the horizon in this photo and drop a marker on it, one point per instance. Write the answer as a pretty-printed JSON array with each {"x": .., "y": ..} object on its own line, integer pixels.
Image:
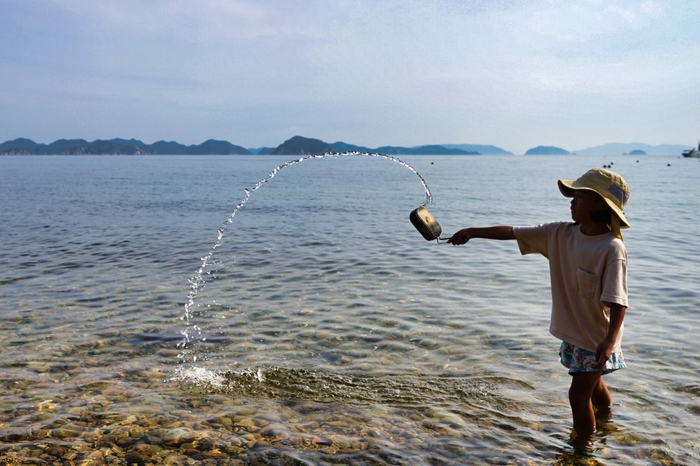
[{"x": 299, "y": 145}]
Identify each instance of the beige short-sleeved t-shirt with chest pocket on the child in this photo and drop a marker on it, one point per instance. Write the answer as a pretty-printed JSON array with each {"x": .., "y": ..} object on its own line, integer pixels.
[{"x": 587, "y": 273}]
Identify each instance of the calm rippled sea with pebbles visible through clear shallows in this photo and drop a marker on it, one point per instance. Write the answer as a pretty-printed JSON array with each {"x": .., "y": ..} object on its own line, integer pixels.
[{"x": 271, "y": 310}]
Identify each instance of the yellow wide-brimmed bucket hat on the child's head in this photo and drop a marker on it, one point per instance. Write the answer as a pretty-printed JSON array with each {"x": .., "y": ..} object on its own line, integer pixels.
[{"x": 610, "y": 186}]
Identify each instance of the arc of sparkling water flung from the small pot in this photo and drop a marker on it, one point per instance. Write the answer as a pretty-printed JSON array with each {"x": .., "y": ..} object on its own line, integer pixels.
[{"x": 195, "y": 282}]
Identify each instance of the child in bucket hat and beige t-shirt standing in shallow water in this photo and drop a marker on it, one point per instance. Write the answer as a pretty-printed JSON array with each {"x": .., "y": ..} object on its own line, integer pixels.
[{"x": 588, "y": 272}]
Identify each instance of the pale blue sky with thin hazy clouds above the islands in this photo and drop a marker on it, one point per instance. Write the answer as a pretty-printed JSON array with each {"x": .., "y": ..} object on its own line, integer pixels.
[{"x": 515, "y": 74}]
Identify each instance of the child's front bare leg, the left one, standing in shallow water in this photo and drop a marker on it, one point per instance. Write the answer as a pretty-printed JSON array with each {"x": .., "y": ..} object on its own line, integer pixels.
[{"x": 583, "y": 386}]
